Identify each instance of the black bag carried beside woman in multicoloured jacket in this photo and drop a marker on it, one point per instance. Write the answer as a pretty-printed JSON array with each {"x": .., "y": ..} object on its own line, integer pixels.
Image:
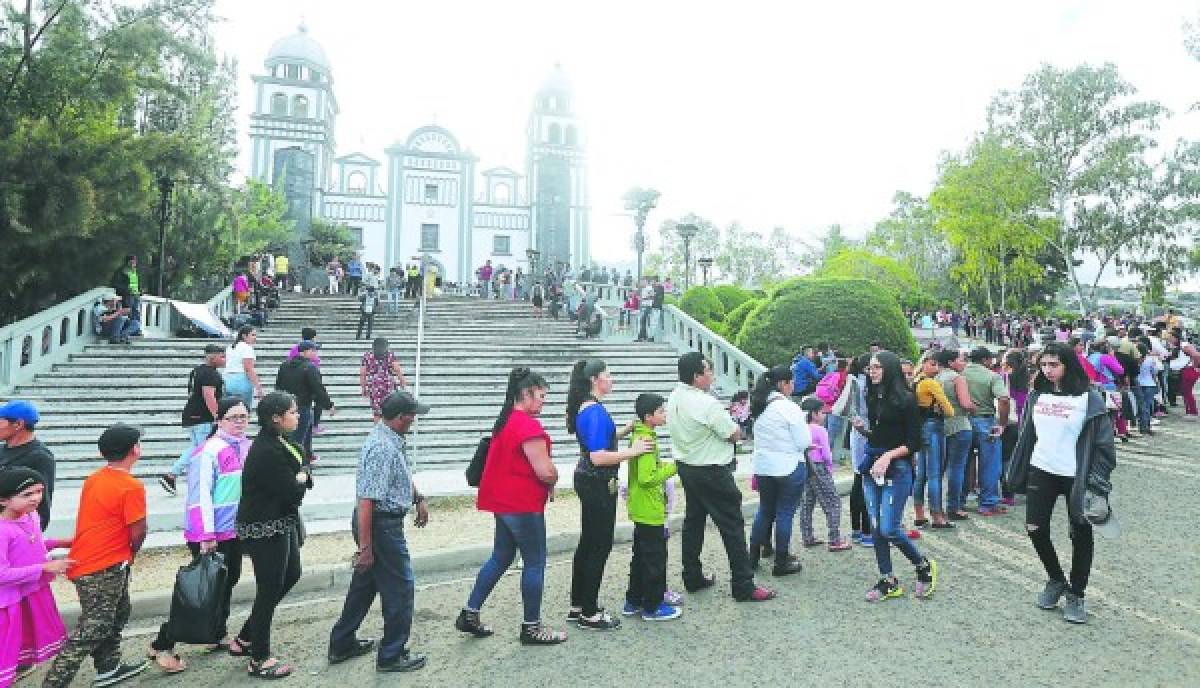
[{"x": 196, "y": 603}]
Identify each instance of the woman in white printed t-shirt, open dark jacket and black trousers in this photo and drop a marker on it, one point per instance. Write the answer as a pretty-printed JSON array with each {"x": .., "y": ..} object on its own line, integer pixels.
[{"x": 1065, "y": 447}]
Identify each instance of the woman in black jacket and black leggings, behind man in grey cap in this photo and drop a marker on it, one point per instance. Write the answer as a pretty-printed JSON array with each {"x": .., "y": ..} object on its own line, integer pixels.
[{"x": 274, "y": 482}]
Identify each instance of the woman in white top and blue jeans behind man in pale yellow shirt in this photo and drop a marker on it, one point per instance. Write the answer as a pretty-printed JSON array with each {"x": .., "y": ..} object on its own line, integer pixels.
[{"x": 782, "y": 438}]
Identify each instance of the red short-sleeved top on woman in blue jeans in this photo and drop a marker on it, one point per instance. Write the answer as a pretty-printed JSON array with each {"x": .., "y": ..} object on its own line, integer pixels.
[{"x": 509, "y": 484}]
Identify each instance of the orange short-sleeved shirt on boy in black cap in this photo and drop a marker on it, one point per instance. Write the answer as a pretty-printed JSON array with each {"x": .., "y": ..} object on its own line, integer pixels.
[{"x": 111, "y": 501}]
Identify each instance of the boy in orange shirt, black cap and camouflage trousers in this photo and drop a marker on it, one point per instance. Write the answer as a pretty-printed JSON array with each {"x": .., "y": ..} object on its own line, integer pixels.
[{"x": 111, "y": 528}]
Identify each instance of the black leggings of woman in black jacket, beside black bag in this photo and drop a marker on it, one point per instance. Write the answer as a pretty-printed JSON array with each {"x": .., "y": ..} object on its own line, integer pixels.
[{"x": 277, "y": 570}]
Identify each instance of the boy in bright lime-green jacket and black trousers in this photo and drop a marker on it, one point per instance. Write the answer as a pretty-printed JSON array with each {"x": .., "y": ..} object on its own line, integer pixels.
[{"x": 649, "y": 511}]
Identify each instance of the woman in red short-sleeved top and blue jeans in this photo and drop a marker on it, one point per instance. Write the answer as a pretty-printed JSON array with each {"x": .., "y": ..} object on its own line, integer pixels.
[{"x": 518, "y": 481}]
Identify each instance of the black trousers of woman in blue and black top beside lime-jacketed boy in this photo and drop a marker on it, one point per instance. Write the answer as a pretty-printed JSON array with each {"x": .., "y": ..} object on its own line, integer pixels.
[{"x": 598, "y": 518}]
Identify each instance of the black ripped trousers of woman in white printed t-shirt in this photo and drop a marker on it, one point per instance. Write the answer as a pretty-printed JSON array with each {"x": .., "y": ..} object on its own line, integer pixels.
[{"x": 1042, "y": 493}]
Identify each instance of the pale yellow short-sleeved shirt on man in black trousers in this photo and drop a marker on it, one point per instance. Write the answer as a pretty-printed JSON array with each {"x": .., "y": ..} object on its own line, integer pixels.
[{"x": 700, "y": 428}]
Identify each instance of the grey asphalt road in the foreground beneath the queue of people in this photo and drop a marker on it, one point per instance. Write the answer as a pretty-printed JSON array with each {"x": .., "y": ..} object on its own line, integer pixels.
[{"x": 981, "y": 629}]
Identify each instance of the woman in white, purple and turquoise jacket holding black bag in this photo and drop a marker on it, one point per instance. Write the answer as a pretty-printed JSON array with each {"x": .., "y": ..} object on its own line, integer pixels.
[{"x": 214, "y": 490}]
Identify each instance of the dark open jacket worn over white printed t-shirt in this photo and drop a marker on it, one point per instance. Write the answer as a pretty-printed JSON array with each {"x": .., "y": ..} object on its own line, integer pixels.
[{"x": 1095, "y": 453}]
